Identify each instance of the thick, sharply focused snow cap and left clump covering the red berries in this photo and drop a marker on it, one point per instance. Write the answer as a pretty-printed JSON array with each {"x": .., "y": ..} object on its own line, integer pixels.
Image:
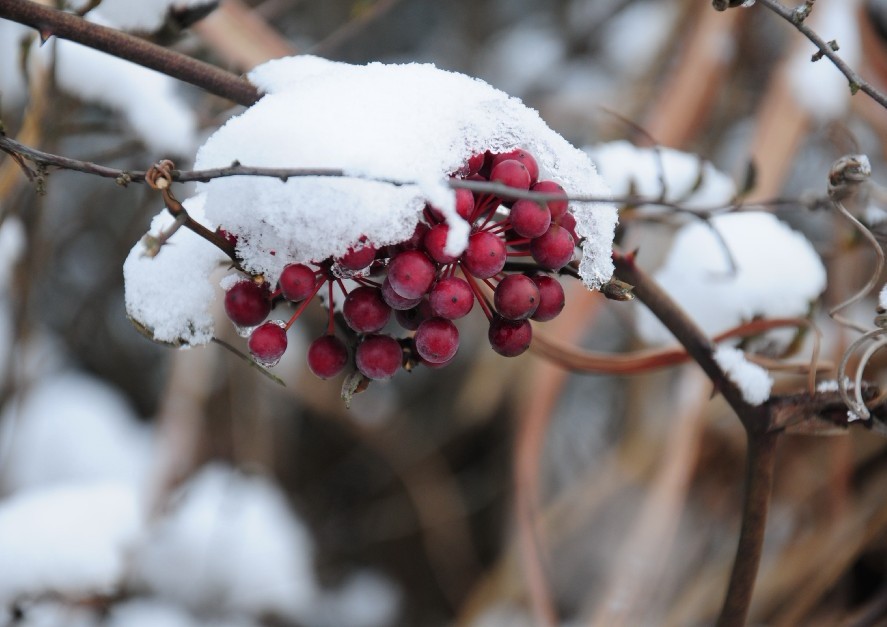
[{"x": 413, "y": 124}]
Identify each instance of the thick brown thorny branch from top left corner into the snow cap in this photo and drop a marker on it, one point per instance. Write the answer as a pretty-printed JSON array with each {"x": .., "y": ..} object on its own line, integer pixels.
[{"x": 51, "y": 22}]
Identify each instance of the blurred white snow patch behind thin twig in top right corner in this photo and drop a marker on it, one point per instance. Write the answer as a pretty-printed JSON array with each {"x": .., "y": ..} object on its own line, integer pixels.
[{"x": 819, "y": 87}]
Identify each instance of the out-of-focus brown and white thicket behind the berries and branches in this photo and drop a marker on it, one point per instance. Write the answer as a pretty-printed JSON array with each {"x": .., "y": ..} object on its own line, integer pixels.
[{"x": 143, "y": 485}]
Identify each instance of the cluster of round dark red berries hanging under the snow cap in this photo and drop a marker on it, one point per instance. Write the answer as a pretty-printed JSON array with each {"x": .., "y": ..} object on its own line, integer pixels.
[{"x": 423, "y": 287}]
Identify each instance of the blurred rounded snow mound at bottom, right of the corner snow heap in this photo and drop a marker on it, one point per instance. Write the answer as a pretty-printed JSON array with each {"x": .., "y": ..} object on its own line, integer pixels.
[{"x": 230, "y": 543}]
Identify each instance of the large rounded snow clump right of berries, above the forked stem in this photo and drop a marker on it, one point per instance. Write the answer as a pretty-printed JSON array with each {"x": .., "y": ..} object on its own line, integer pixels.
[{"x": 778, "y": 274}]
